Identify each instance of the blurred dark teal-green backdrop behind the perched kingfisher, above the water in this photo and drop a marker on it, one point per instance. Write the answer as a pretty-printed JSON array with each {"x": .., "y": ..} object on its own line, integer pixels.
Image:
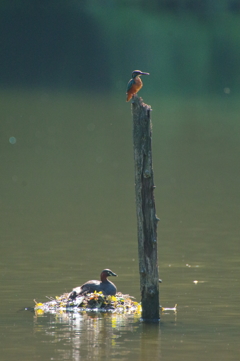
[{"x": 189, "y": 47}]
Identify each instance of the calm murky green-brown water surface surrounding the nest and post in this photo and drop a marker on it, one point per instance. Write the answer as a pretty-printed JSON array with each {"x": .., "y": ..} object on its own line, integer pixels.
[{"x": 67, "y": 211}]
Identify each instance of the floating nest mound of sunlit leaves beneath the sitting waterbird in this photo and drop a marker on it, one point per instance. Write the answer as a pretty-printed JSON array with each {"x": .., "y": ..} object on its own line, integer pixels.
[{"x": 94, "y": 302}]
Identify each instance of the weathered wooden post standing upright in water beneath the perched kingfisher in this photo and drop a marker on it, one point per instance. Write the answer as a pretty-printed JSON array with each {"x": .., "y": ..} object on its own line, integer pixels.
[{"x": 146, "y": 212}]
